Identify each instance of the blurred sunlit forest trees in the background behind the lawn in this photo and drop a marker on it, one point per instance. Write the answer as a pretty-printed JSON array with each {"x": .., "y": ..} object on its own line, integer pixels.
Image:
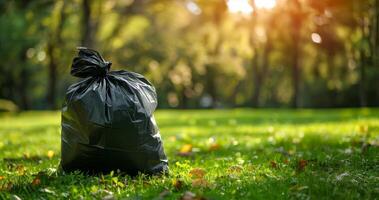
[{"x": 197, "y": 53}]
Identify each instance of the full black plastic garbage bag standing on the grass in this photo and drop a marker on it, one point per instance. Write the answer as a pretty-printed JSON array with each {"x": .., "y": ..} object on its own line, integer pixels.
[{"x": 108, "y": 122}]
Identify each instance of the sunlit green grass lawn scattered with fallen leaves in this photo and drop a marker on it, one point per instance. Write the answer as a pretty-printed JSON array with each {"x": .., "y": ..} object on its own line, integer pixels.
[{"x": 245, "y": 154}]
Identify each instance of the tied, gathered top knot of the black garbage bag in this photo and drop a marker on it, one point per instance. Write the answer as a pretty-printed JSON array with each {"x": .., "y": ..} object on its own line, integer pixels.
[{"x": 89, "y": 63}]
